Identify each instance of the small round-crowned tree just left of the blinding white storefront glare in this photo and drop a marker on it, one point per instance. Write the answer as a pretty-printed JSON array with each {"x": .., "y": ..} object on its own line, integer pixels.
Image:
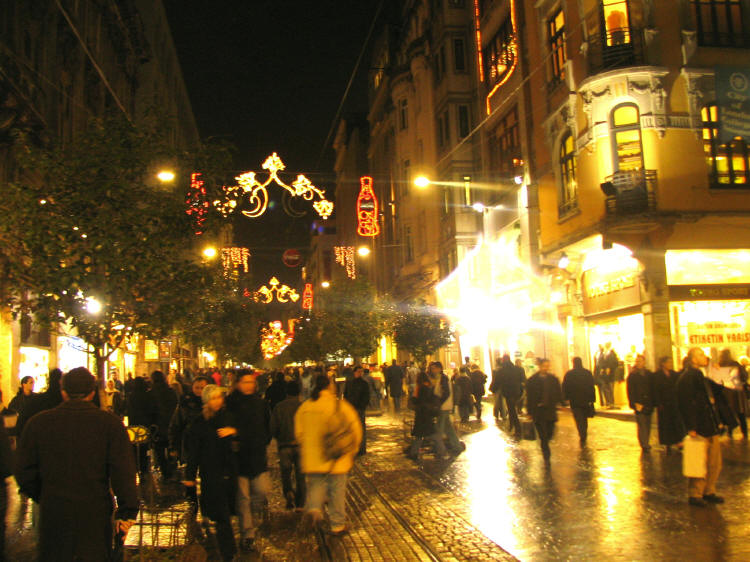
[{"x": 421, "y": 330}]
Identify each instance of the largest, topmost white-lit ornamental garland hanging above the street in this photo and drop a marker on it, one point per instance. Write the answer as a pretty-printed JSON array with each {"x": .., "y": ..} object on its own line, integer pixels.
[{"x": 258, "y": 194}]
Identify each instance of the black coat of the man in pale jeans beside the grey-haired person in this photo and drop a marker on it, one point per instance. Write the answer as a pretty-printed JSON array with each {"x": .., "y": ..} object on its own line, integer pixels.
[{"x": 252, "y": 417}]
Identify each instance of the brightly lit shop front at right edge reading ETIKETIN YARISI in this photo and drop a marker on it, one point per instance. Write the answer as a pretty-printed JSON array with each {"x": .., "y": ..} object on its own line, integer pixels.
[{"x": 709, "y": 292}]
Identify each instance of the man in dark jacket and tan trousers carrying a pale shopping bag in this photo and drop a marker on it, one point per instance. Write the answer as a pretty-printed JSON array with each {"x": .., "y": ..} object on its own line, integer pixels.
[{"x": 704, "y": 412}]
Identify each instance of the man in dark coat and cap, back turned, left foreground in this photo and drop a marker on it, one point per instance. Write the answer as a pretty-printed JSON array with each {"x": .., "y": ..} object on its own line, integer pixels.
[{"x": 69, "y": 459}]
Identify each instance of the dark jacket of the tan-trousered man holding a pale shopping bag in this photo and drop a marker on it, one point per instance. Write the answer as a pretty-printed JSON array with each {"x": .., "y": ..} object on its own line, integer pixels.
[{"x": 699, "y": 413}]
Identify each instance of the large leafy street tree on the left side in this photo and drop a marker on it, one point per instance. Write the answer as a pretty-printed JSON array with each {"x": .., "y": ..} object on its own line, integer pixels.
[{"x": 91, "y": 239}]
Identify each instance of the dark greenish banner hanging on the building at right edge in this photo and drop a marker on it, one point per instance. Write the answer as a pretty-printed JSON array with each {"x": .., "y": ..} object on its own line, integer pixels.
[{"x": 733, "y": 100}]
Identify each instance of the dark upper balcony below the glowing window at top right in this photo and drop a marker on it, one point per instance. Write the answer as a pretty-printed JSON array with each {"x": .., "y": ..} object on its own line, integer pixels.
[{"x": 617, "y": 49}]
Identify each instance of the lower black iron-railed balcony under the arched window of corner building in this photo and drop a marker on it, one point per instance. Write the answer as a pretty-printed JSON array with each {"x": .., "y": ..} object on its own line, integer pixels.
[{"x": 630, "y": 193}]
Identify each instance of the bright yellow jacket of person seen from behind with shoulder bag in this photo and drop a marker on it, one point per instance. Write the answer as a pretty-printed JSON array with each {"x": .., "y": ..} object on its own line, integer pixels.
[{"x": 310, "y": 425}]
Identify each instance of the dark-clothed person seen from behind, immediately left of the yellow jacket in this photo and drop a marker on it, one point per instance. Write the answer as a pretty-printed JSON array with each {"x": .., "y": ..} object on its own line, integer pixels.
[{"x": 282, "y": 429}]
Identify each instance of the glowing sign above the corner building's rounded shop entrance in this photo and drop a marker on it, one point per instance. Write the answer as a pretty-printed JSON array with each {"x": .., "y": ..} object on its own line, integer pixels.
[{"x": 614, "y": 290}]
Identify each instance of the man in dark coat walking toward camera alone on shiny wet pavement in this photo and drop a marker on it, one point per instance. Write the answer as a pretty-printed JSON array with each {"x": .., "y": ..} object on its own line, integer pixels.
[{"x": 543, "y": 394}]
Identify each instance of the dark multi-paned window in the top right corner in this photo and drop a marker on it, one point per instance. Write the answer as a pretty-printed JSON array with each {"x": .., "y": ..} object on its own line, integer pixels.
[{"x": 719, "y": 23}]
